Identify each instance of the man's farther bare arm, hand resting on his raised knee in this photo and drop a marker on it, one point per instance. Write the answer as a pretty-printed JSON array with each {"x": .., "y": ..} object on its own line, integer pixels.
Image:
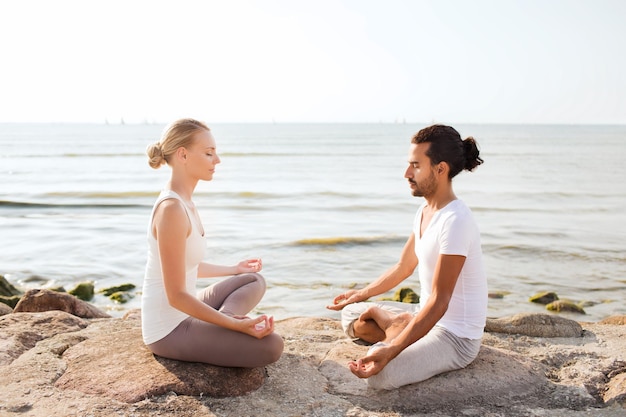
[{"x": 388, "y": 280}]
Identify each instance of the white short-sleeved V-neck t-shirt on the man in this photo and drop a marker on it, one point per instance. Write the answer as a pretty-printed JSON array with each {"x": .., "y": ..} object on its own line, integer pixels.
[{"x": 453, "y": 231}]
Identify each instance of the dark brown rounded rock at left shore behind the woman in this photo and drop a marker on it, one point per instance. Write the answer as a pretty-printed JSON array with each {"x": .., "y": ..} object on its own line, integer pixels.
[{"x": 39, "y": 300}]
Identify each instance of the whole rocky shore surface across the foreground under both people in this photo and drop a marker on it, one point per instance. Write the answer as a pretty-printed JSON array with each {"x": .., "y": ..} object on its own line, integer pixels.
[{"x": 56, "y": 364}]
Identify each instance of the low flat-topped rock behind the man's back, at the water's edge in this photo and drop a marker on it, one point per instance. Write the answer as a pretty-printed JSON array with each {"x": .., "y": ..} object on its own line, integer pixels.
[{"x": 538, "y": 325}]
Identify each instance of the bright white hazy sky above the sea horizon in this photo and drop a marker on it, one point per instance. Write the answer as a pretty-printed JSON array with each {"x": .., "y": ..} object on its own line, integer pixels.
[{"x": 289, "y": 61}]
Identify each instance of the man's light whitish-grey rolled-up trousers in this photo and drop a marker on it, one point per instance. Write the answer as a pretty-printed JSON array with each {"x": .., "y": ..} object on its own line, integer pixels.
[{"x": 437, "y": 352}]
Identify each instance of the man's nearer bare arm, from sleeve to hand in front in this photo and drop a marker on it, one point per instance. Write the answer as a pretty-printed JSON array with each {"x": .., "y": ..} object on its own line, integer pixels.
[{"x": 446, "y": 275}]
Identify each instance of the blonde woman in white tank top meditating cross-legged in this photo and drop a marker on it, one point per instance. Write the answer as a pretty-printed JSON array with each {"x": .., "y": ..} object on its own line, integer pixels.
[{"x": 211, "y": 327}]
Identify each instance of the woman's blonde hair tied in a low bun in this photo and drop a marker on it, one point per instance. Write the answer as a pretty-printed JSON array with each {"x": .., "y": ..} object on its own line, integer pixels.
[{"x": 176, "y": 135}]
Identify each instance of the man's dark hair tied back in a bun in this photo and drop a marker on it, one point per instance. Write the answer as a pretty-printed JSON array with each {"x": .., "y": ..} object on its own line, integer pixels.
[{"x": 447, "y": 146}]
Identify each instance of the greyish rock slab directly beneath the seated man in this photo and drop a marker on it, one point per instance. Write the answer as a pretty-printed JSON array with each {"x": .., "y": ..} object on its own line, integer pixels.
[{"x": 494, "y": 376}]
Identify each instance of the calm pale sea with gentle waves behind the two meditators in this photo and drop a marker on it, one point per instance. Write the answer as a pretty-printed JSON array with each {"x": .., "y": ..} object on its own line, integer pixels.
[{"x": 326, "y": 206}]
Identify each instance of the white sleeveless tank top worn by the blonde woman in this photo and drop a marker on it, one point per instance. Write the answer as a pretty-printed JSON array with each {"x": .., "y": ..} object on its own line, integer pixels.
[{"x": 158, "y": 318}]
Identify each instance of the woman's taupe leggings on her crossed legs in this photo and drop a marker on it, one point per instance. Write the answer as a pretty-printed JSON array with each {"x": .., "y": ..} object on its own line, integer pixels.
[{"x": 194, "y": 340}]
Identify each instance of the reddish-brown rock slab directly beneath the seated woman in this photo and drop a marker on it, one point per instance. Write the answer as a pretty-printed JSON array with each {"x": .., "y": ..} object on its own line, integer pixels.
[{"x": 115, "y": 363}]
